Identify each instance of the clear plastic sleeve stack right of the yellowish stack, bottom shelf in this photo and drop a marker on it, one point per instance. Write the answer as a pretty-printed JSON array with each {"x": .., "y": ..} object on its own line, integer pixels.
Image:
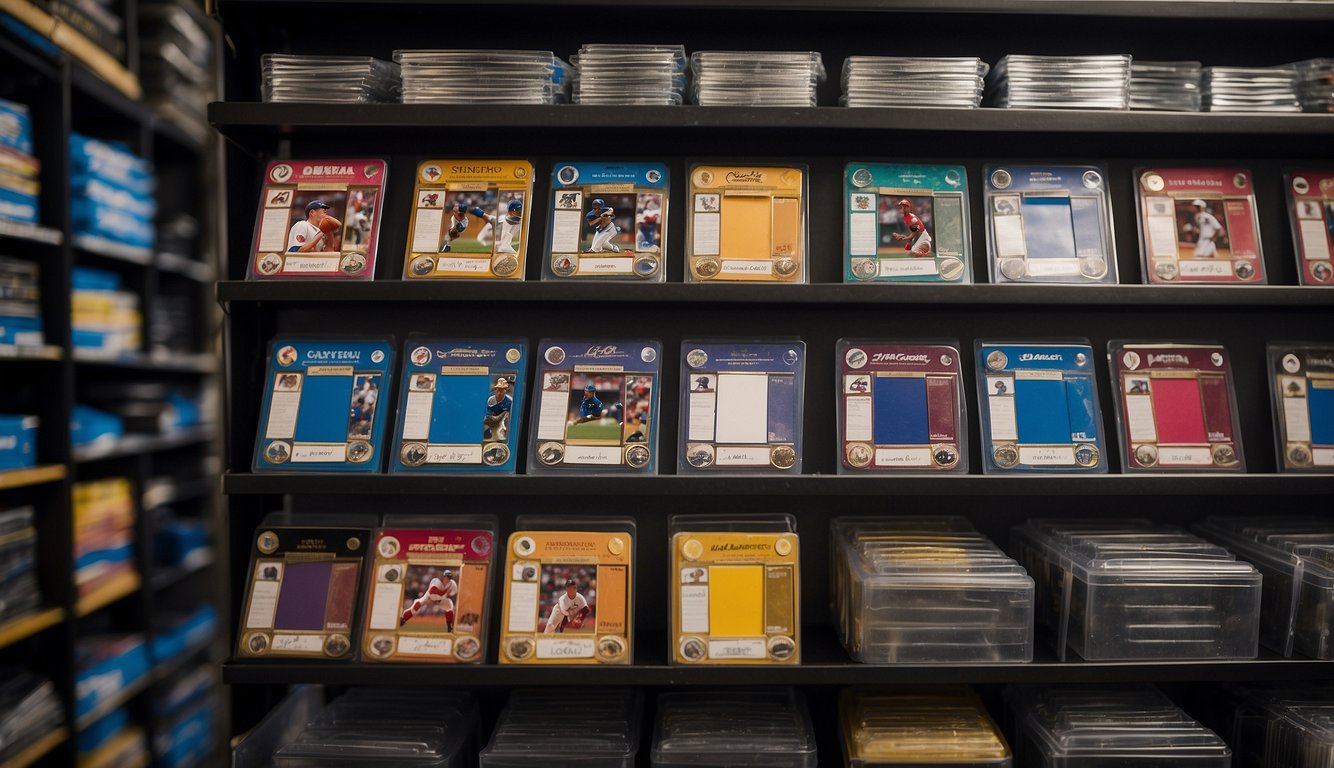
[{"x": 1108, "y": 727}]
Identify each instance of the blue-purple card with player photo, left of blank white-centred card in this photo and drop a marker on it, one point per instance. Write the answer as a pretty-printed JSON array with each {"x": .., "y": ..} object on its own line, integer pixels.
[{"x": 596, "y": 409}]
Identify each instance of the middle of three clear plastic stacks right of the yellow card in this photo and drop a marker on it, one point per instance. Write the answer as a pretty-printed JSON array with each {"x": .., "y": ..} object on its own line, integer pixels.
[{"x": 1137, "y": 591}]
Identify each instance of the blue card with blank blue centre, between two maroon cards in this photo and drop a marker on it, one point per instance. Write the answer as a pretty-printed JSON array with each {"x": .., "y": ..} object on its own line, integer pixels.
[{"x": 1040, "y": 407}]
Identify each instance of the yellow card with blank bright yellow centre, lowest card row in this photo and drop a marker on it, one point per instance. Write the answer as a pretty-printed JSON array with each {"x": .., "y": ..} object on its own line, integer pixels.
[{"x": 736, "y": 590}]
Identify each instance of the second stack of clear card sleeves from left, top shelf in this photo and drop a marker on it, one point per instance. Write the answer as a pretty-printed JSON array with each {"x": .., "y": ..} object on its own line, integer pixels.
[{"x": 465, "y": 77}]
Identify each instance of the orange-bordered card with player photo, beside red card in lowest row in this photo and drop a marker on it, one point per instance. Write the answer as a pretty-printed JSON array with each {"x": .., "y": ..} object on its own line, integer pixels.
[{"x": 569, "y": 591}]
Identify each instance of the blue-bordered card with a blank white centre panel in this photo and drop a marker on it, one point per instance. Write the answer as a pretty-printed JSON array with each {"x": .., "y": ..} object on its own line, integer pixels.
[{"x": 741, "y": 406}]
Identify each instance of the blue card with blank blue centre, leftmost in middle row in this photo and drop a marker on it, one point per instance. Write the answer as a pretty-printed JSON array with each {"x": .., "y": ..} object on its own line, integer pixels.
[{"x": 325, "y": 405}]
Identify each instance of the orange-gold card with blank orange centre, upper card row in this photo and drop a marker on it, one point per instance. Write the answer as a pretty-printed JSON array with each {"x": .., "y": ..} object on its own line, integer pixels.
[{"x": 746, "y": 223}]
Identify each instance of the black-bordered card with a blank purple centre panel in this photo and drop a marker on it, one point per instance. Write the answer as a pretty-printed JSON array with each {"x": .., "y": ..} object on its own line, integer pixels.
[{"x": 302, "y": 590}]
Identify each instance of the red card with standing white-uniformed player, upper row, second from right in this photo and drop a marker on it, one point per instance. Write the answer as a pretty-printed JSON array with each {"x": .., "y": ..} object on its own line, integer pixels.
[{"x": 1199, "y": 226}]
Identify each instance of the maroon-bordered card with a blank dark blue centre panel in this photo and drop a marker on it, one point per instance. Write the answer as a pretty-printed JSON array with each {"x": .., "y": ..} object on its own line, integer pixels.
[{"x": 901, "y": 407}]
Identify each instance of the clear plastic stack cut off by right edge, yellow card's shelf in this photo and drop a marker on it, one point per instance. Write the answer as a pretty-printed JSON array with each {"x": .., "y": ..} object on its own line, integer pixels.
[{"x": 1296, "y": 557}]
